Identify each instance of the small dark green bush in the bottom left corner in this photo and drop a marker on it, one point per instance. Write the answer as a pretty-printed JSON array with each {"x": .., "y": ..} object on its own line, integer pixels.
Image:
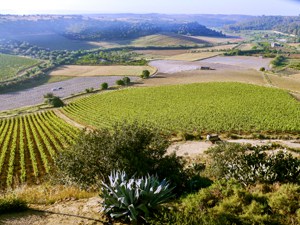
[{"x": 12, "y": 205}]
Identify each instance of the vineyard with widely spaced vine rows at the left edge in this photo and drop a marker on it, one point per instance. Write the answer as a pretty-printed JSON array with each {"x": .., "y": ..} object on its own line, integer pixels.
[{"x": 28, "y": 144}]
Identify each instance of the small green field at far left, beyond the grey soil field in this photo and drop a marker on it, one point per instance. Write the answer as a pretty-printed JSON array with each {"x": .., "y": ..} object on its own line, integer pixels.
[{"x": 10, "y": 65}]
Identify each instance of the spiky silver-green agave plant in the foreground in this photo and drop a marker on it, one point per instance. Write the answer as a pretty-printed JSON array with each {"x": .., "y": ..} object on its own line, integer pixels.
[{"x": 134, "y": 198}]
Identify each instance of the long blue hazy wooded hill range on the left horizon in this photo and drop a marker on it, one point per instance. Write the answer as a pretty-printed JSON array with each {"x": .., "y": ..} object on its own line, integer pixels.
[{"x": 99, "y": 27}]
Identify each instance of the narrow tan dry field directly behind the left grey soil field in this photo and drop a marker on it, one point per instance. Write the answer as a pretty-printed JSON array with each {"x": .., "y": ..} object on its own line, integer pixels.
[{"x": 88, "y": 71}]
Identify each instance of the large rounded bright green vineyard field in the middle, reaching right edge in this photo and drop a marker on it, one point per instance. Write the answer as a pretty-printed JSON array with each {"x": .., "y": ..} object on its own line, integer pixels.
[{"x": 206, "y": 107}]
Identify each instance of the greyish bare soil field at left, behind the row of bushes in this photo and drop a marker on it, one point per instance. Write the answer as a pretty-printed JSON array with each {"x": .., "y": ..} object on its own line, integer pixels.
[{"x": 34, "y": 95}]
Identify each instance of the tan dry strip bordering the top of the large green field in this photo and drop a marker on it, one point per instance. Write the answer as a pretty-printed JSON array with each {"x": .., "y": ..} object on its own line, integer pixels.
[{"x": 199, "y": 76}]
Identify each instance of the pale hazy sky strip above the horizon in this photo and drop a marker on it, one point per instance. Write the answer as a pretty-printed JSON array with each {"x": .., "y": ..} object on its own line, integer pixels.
[{"x": 249, "y": 7}]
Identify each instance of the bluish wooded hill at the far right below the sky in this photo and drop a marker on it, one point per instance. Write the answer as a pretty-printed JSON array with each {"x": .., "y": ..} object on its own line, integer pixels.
[{"x": 285, "y": 24}]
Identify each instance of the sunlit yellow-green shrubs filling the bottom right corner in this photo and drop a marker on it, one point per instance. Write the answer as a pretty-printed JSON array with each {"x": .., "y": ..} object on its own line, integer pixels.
[{"x": 228, "y": 202}]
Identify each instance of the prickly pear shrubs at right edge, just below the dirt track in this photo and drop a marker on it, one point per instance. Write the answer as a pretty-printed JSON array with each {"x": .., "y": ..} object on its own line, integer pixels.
[{"x": 249, "y": 165}]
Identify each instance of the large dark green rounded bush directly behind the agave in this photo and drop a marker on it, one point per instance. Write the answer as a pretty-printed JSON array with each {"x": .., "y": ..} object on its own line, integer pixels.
[{"x": 136, "y": 149}]
